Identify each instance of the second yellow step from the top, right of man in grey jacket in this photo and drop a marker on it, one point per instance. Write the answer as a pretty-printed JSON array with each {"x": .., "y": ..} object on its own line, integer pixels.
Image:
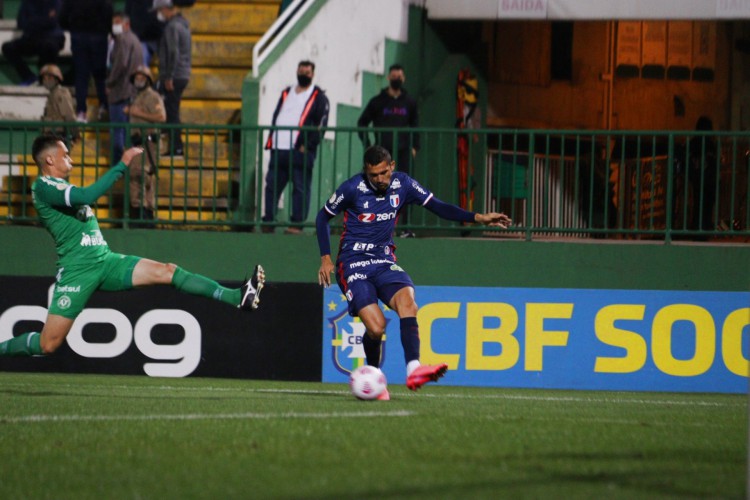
[{"x": 234, "y": 51}]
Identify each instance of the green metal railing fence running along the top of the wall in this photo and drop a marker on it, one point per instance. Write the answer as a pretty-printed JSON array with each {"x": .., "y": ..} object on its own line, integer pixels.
[{"x": 574, "y": 184}]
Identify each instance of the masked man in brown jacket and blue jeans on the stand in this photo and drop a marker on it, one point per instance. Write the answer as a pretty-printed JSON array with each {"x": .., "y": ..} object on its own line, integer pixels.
[{"x": 126, "y": 57}]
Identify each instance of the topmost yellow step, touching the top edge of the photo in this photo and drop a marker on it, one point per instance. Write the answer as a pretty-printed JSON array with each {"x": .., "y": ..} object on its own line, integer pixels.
[{"x": 231, "y": 18}]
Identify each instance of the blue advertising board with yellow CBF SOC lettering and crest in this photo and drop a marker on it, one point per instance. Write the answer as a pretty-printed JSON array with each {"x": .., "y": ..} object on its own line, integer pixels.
[{"x": 635, "y": 340}]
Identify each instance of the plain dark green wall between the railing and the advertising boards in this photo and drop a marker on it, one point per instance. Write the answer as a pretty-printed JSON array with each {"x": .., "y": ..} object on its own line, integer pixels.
[{"x": 29, "y": 251}]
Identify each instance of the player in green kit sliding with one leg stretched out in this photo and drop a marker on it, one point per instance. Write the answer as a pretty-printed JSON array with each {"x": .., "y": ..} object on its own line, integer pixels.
[{"x": 86, "y": 264}]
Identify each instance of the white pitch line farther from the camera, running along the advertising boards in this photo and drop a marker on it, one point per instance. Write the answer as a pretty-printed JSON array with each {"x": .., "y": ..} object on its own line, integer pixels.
[{"x": 421, "y": 394}]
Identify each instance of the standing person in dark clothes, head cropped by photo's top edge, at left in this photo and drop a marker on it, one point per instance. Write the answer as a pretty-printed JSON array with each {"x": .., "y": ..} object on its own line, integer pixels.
[{"x": 89, "y": 22}]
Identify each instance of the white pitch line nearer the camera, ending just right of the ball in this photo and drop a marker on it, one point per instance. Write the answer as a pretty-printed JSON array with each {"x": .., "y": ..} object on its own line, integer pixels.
[{"x": 204, "y": 416}]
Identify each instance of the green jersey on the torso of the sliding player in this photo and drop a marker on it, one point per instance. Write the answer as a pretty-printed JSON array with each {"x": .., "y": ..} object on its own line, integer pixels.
[{"x": 78, "y": 239}]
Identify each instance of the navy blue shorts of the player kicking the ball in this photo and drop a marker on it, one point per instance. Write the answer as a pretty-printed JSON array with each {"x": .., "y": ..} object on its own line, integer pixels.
[{"x": 364, "y": 280}]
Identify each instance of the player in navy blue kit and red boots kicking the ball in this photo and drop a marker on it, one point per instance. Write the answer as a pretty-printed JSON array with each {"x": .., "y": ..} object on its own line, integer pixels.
[{"x": 366, "y": 268}]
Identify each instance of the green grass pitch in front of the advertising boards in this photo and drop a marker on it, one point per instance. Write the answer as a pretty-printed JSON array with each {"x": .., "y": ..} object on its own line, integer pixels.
[{"x": 90, "y": 436}]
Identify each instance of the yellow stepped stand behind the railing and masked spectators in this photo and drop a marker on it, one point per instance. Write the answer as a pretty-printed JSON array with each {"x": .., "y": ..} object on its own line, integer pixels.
[{"x": 197, "y": 186}]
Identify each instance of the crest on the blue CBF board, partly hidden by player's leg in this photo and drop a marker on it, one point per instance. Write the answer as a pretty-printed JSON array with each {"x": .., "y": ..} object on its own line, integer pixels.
[{"x": 346, "y": 342}]
